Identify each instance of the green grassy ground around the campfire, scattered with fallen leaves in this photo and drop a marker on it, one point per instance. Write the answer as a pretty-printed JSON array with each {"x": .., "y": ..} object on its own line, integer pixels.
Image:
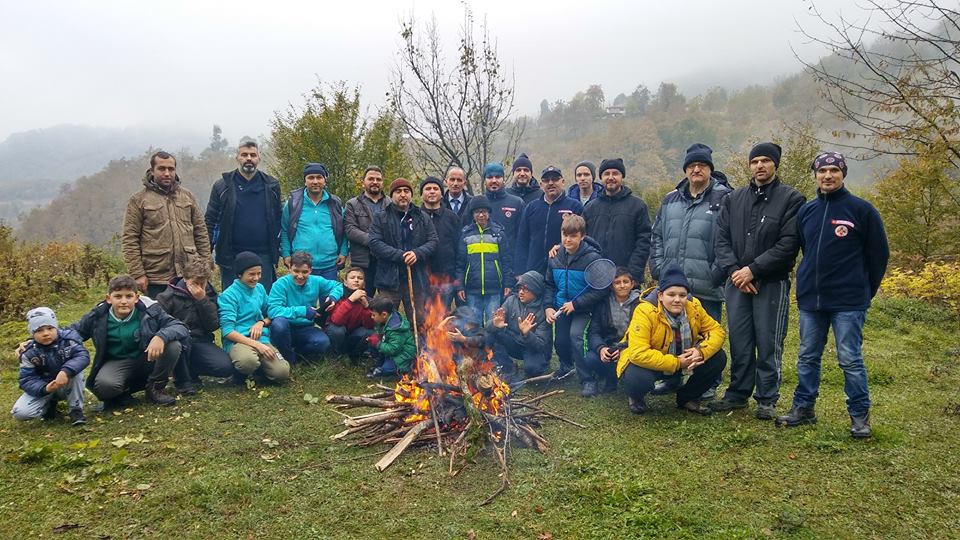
[{"x": 258, "y": 463}]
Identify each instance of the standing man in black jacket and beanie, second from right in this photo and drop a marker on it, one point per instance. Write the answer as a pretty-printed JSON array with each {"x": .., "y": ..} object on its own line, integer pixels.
[{"x": 756, "y": 247}]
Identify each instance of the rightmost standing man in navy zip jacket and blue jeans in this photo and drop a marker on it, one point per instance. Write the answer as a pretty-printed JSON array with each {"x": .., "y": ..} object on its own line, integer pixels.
[{"x": 845, "y": 255}]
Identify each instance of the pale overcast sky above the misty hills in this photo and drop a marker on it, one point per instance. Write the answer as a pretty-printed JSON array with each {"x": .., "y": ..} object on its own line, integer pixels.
[{"x": 192, "y": 64}]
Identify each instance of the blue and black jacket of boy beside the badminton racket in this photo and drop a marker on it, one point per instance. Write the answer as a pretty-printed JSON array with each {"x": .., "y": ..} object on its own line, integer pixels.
[{"x": 566, "y": 279}]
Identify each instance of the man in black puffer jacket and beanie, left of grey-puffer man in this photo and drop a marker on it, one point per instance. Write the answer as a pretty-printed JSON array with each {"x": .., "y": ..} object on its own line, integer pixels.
[{"x": 619, "y": 220}]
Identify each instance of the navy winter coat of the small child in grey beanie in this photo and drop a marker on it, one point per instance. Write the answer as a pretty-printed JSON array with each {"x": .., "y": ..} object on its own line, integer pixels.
[{"x": 40, "y": 364}]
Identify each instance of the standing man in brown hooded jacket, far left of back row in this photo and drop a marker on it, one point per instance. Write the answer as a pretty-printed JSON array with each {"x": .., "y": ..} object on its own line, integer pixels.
[{"x": 163, "y": 227}]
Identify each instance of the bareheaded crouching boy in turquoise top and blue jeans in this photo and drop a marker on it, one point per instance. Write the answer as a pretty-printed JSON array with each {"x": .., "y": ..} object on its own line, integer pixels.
[{"x": 293, "y": 310}]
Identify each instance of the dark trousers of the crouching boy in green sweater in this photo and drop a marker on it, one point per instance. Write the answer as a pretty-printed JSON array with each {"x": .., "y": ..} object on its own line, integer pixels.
[{"x": 120, "y": 376}]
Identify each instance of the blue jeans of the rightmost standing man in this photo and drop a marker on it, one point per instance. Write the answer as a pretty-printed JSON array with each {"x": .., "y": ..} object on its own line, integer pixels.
[{"x": 848, "y": 337}]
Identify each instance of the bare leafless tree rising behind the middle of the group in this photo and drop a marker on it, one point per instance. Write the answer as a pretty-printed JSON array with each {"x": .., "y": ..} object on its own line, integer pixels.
[{"x": 453, "y": 112}]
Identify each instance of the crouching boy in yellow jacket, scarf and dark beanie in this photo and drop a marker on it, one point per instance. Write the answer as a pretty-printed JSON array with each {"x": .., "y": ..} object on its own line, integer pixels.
[{"x": 670, "y": 331}]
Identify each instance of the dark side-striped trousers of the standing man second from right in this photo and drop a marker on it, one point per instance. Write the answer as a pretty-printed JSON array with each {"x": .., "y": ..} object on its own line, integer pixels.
[{"x": 758, "y": 326}]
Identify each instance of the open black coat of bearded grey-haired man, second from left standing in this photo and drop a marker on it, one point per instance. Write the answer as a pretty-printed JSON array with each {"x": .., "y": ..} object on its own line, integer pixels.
[{"x": 219, "y": 215}]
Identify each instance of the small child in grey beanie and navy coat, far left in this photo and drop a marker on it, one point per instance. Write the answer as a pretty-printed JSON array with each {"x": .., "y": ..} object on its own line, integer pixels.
[{"x": 51, "y": 368}]
